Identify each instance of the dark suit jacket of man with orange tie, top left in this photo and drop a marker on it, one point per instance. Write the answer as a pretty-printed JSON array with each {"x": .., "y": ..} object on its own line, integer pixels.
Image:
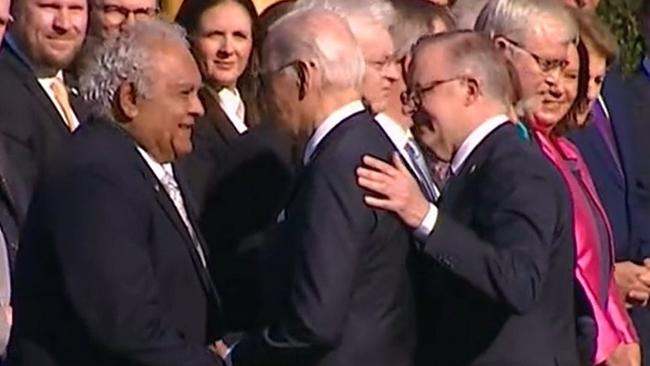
[{"x": 31, "y": 127}]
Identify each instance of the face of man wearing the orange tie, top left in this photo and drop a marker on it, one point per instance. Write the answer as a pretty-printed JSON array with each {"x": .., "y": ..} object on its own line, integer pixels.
[{"x": 50, "y": 32}]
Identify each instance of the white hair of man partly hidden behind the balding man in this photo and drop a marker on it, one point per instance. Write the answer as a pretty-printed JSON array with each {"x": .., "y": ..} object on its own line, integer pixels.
[{"x": 356, "y": 12}]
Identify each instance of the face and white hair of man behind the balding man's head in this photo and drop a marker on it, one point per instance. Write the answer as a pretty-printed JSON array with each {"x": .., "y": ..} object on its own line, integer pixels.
[{"x": 369, "y": 21}]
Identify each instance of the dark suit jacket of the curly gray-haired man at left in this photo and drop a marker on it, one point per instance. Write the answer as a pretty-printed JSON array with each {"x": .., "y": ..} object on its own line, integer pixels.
[{"x": 107, "y": 273}]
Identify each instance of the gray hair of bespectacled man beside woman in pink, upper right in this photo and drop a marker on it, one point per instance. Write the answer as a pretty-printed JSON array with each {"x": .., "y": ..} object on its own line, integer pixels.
[{"x": 514, "y": 18}]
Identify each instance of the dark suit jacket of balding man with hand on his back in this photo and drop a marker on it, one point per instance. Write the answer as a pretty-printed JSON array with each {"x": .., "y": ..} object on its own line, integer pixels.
[{"x": 350, "y": 301}]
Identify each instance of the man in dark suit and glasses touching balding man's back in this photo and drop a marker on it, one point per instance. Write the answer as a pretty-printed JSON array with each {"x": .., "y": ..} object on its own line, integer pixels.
[{"x": 497, "y": 254}]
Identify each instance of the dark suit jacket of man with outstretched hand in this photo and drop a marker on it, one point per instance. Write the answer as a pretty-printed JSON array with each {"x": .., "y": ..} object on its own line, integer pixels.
[{"x": 504, "y": 242}]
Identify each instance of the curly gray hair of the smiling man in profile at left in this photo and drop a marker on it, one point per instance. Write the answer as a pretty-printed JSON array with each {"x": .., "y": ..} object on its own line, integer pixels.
[{"x": 125, "y": 58}]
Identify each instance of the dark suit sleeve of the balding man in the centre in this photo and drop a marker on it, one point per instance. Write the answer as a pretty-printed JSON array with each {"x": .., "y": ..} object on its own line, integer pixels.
[{"x": 330, "y": 229}]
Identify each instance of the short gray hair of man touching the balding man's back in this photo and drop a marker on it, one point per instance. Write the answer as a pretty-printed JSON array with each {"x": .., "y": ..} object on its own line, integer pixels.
[{"x": 473, "y": 54}]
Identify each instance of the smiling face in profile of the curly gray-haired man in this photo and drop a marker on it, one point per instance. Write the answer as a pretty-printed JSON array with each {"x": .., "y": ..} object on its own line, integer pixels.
[{"x": 162, "y": 122}]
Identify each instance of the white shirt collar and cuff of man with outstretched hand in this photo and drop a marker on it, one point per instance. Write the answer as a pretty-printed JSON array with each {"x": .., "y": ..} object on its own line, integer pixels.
[{"x": 466, "y": 148}]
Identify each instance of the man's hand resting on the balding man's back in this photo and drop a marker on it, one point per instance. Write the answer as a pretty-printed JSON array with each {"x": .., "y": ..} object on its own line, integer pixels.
[{"x": 402, "y": 194}]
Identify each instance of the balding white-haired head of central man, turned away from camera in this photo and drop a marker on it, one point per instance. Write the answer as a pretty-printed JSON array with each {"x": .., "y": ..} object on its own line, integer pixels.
[{"x": 309, "y": 73}]
